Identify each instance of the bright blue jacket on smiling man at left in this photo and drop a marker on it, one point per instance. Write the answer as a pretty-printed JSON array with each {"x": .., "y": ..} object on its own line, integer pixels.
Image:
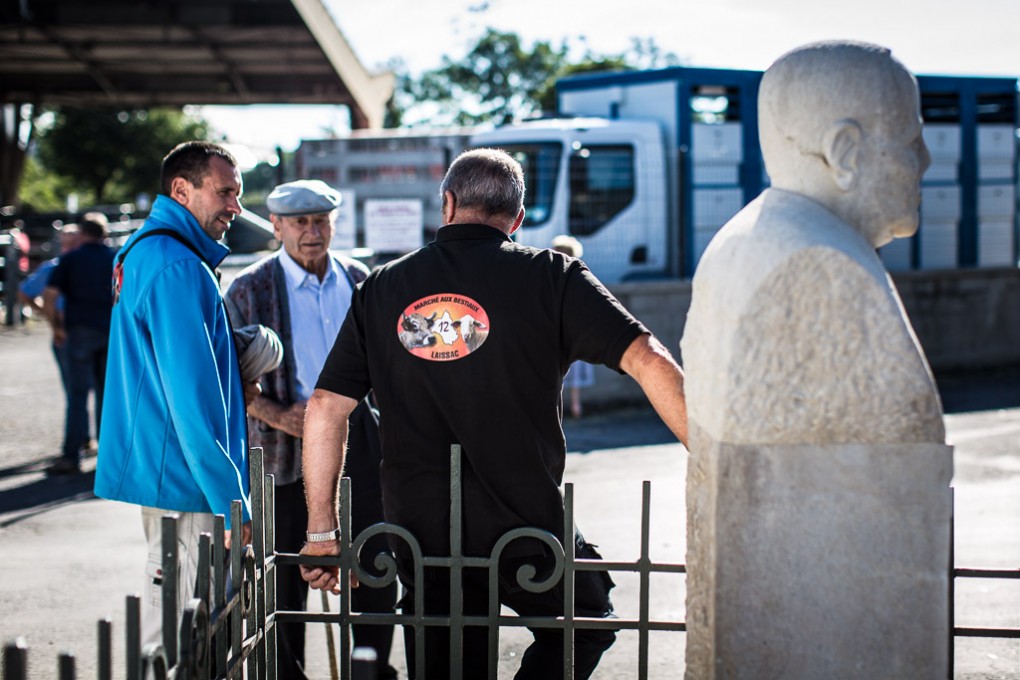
[{"x": 174, "y": 433}]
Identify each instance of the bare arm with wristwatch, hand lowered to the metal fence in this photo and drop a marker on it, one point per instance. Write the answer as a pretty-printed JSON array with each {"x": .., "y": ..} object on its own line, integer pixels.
[{"x": 323, "y": 462}]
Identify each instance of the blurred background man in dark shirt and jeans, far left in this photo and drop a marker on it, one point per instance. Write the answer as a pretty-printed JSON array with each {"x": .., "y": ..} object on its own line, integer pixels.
[{"x": 83, "y": 277}]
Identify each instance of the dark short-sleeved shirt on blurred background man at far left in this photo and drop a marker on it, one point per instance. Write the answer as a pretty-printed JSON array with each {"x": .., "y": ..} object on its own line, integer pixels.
[{"x": 83, "y": 276}]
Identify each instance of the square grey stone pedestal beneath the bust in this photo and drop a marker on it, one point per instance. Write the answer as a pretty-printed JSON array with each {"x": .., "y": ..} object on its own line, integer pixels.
[{"x": 818, "y": 561}]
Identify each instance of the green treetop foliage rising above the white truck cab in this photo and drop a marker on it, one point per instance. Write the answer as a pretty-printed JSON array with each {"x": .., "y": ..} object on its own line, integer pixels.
[{"x": 502, "y": 79}]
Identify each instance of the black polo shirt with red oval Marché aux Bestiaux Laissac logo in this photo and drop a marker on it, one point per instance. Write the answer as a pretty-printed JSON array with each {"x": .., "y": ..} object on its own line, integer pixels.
[{"x": 467, "y": 341}]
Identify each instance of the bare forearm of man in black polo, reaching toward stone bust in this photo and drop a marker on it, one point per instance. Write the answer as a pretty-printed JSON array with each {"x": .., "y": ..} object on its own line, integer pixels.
[{"x": 650, "y": 363}]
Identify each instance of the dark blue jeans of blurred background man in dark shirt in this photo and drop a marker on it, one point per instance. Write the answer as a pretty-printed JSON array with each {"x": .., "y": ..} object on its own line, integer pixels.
[{"x": 86, "y": 368}]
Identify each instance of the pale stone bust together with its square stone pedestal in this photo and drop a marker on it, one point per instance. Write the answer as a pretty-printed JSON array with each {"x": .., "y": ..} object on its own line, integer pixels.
[{"x": 819, "y": 504}]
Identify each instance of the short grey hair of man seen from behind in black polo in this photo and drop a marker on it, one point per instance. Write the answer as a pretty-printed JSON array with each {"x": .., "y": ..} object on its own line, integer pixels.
[{"x": 489, "y": 181}]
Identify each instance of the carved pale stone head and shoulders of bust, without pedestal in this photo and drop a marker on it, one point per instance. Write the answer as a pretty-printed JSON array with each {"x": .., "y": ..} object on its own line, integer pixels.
[{"x": 796, "y": 334}]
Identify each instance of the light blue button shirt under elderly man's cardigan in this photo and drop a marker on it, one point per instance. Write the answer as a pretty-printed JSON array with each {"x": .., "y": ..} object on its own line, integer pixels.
[{"x": 318, "y": 311}]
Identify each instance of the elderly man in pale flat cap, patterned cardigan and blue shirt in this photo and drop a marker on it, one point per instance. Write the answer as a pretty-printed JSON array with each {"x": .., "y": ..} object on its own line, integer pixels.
[{"x": 303, "y": 293}]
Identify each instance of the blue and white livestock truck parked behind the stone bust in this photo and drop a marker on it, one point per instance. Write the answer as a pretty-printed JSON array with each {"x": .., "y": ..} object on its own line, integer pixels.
[{"x": 645, "y": 168}]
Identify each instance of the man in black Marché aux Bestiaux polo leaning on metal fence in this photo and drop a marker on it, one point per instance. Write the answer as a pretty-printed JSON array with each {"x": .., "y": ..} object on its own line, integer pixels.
[{"x": 467, "y": 341}]
